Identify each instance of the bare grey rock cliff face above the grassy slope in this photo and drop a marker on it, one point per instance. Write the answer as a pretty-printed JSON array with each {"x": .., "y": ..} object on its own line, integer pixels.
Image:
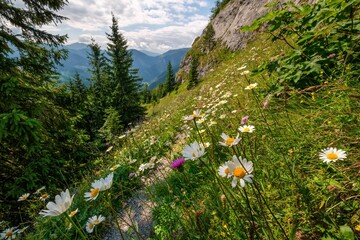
[{"x": 225, "y": 33}]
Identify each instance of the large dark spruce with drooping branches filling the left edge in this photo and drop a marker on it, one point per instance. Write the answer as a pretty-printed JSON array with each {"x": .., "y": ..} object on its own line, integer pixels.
[{"x": 39, "y": 144}]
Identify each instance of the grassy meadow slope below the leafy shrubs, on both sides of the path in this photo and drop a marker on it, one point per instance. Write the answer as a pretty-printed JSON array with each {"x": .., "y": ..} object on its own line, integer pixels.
[{"x": 304, "y": 197}]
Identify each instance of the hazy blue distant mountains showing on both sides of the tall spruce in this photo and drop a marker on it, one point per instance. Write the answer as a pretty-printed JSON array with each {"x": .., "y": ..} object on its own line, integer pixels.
[{"x": 152, "y": 68}]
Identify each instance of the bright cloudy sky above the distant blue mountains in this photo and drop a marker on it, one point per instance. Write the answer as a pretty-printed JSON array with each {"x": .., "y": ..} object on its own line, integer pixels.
[{"x": 151, "y": 25}]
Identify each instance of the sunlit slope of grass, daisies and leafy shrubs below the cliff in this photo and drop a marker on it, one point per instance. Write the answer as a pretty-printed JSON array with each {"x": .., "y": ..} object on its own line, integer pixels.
[{"x": 265, "y": 146}]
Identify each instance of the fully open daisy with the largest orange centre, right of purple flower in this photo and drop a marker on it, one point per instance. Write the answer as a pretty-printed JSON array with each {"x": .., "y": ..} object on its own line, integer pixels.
[{"x": 240, "y": 169}]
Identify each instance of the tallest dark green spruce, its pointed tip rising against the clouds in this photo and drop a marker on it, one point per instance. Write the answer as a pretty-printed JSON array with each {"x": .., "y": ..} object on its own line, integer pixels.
[{"x": 125, "y": 98}]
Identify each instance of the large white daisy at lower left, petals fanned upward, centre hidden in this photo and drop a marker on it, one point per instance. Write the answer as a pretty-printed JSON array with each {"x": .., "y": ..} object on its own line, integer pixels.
[{"x": 62, "y": 203}]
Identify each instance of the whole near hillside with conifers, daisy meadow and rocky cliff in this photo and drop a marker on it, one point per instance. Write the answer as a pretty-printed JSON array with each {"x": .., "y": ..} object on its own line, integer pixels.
[{"x": 257, "y": 142}]
